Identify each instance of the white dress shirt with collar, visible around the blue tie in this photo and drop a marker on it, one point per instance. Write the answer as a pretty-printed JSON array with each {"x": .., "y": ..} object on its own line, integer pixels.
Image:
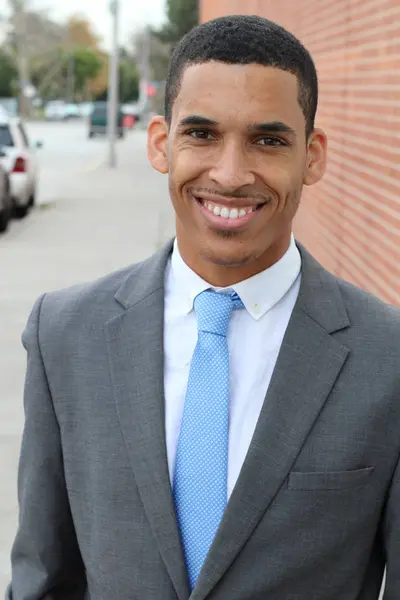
[{"x": 254, "y": 340}]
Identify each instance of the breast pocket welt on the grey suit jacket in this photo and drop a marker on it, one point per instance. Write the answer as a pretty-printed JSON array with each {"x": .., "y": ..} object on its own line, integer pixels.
[{"x": 338, "y": 480}]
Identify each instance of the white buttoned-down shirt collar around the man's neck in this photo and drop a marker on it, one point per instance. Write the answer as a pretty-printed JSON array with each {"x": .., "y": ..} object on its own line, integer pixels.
[{"x": 259, "y": 293}]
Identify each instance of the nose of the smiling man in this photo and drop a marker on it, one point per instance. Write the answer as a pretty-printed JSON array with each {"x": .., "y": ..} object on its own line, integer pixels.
[{"x": 231, "y": 170}]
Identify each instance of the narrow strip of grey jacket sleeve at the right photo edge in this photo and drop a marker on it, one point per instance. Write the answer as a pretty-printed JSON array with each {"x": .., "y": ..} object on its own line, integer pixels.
[{"x": 392, "y": 539}]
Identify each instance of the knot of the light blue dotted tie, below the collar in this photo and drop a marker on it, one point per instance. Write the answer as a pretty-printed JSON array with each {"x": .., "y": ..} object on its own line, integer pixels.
[{"x": 214, "y": 310}]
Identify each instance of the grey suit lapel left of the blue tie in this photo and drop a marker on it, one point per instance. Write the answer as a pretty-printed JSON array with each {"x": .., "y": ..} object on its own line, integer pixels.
[{"x": 135, "y": 343}]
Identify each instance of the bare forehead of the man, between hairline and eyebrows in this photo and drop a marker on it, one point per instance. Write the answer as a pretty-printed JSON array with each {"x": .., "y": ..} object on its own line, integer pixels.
[{"x": 248, "y": 93}]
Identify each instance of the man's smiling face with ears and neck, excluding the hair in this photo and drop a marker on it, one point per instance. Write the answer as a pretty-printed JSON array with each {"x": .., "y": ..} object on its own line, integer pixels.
[{"x": 237, "y": 157}]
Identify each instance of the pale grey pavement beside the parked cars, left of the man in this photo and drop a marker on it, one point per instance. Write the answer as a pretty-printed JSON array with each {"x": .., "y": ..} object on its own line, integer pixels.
[{"x": 91, "y": 220}]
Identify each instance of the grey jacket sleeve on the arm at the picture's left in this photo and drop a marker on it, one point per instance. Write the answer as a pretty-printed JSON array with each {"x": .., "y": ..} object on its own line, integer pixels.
[{"x": 45, "y": 559}]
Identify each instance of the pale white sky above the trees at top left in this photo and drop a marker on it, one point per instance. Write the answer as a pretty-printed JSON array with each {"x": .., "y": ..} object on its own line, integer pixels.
[{"x": 134, "y": 14}]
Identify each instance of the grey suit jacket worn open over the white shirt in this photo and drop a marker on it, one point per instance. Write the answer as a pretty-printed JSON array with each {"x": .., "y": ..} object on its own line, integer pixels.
[{"x": 315, "y": 514}]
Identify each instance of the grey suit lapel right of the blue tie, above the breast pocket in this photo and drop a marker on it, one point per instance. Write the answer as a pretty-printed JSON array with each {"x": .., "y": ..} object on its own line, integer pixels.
[{"x": 308, "y": 365}]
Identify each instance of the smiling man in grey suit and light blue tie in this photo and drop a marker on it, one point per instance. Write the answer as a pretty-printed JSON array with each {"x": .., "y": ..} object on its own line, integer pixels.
[{"x": 222, "y": 420}]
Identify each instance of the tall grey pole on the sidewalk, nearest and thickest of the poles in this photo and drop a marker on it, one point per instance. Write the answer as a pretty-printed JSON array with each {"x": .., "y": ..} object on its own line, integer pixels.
[{"x": 113, "y": 85}]
